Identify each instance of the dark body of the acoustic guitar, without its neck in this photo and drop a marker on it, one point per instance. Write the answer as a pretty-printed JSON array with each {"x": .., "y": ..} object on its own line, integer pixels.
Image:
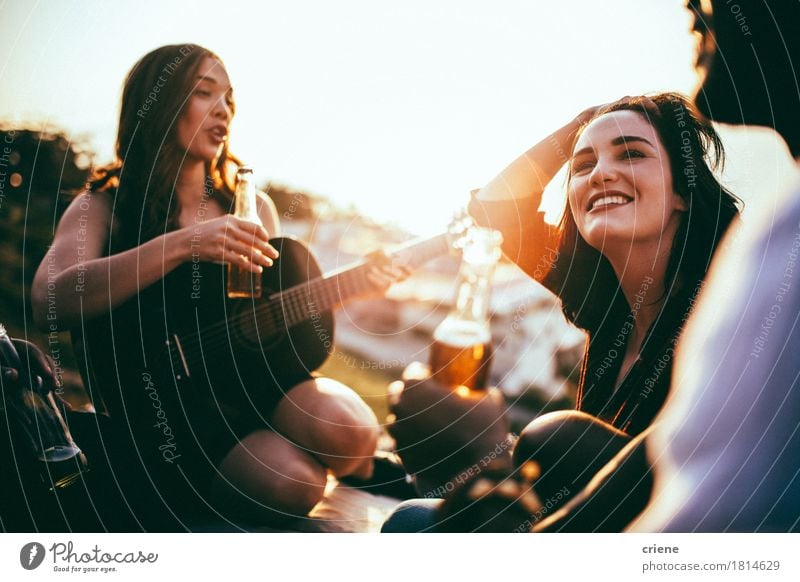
[{"x": 184, "y": 342}]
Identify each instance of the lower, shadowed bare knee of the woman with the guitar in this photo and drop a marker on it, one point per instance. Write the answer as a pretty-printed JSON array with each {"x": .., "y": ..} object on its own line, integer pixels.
[{"x": 265, "y": 477}]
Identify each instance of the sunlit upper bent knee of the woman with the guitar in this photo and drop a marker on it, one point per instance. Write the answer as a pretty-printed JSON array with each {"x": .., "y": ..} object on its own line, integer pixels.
[{"x": 331, "y": 422}]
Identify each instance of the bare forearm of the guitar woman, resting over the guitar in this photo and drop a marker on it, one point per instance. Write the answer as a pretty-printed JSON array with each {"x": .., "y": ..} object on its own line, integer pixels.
[{"x": 97, "y": 286}]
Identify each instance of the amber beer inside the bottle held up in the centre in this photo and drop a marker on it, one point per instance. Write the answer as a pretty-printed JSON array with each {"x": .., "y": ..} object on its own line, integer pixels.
[{"x": 460, "y": 356}]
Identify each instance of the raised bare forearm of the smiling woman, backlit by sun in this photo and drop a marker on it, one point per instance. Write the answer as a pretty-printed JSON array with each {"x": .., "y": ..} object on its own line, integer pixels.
[{"x": 529, "y": 174}]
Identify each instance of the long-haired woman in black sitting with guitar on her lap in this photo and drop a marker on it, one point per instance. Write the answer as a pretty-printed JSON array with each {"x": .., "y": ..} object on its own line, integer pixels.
[{"x": 160, "y": 210}]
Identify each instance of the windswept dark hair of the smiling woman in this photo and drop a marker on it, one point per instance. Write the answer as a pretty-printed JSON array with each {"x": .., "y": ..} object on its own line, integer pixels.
[{"x": 584, "y": 278}]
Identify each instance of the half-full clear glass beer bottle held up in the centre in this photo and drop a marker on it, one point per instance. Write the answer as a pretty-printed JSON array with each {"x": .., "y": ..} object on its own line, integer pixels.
[{"x": 462, "y": 343}]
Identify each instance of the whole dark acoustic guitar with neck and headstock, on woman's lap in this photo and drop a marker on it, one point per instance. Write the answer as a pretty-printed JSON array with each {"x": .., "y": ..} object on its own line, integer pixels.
[{"x": 182, "y": 368}]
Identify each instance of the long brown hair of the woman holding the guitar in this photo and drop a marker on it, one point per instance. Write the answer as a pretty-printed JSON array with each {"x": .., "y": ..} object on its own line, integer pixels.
[{"x": 148, "y": 156}]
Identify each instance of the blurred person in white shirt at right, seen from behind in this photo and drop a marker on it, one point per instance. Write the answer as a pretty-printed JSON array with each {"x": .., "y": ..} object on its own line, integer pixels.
[{"x": 724, "y": 447}]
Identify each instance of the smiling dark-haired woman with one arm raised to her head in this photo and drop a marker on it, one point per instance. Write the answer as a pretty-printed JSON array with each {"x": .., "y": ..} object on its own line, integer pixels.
[{"x": 645, "y": 214}]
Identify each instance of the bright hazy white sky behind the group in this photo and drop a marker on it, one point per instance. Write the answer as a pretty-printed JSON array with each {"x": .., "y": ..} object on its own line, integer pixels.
[{"x": 398, "y": 107}]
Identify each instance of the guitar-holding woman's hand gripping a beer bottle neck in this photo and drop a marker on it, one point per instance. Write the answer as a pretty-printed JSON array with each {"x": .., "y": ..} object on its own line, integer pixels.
[{"x": 229, "y": 239}]
